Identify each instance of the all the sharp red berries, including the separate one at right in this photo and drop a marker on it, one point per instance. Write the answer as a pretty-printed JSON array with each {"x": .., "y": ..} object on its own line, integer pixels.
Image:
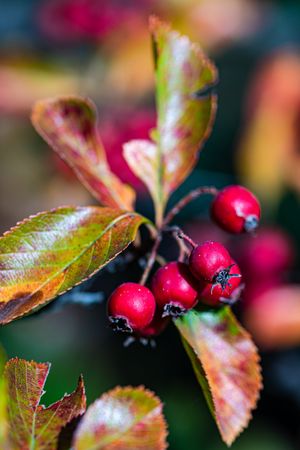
[{"x": 209, "y": 276}]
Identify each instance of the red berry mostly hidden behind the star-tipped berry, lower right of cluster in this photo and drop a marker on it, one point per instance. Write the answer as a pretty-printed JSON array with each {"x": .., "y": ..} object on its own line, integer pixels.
[{"x": 214, "y": 295}]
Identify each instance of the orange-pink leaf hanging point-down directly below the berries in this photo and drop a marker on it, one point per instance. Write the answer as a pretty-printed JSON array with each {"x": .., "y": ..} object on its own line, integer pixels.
[{"x": 226, "y": 363}]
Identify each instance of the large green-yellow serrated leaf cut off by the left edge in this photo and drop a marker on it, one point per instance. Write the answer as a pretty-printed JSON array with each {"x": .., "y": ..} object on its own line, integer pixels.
[{"x": 51, "y": 252}]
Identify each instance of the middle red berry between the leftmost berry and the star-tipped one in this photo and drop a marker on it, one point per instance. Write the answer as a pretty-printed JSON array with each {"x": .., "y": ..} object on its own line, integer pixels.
[{"x": 174, "y": 289}]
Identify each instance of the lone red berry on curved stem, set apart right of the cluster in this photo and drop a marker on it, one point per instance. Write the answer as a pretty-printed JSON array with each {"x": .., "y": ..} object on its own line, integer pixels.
[{"x": 236, "y": 209}]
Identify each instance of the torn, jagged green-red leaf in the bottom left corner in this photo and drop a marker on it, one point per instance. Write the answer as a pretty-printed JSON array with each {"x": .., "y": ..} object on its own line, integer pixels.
[{"x": 31, "y": 425}]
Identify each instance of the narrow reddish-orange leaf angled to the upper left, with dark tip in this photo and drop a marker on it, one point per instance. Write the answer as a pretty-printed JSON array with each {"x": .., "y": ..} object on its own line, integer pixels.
[{"x": 68, "y": 125}]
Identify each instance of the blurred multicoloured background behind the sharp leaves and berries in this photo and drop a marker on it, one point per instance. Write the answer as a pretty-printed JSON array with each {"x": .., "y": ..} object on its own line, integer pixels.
[{"x": 101, "y": 49}]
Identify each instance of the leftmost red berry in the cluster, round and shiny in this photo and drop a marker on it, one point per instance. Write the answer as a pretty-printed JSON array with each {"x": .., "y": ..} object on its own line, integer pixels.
[{"x": 131, "y": 307}]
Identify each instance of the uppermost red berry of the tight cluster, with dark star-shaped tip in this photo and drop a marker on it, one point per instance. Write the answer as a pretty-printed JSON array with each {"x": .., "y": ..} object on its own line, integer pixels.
[{"x": 207, "y": 260}]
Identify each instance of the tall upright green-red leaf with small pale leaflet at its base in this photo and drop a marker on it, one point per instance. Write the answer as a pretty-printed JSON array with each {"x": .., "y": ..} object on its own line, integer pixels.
[{"x": 186, "y": 107}]
